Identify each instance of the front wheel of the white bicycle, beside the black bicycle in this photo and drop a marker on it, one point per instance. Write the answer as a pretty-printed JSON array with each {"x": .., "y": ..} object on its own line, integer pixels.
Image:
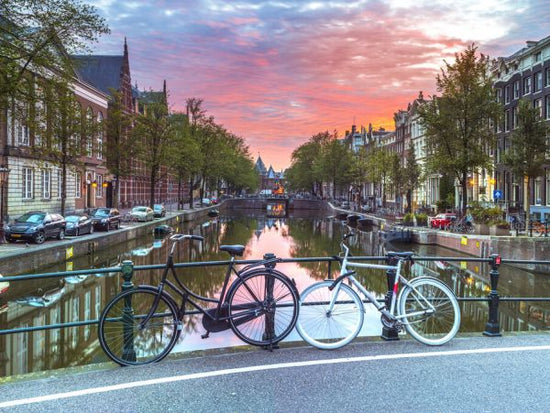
[{"x": 326, "y": 328}]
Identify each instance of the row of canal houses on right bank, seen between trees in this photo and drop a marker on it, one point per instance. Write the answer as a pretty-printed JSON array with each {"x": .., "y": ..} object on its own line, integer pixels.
[{"x": 523, "y": 75}]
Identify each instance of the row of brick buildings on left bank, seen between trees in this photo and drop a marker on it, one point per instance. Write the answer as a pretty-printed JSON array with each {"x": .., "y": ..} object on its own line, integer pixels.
[{"x": 29, "y": 183}]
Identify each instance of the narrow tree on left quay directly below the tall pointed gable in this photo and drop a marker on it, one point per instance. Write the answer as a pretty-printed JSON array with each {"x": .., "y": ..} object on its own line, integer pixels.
[{"x": 120, "y": 148}]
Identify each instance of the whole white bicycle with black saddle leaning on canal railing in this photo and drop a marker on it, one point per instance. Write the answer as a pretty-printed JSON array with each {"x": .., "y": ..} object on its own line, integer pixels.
[{"x": 331, "y": 312}]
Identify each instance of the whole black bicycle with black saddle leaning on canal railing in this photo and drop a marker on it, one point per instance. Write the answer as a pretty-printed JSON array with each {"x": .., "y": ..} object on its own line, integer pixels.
[{"x": 141, "y": 325}]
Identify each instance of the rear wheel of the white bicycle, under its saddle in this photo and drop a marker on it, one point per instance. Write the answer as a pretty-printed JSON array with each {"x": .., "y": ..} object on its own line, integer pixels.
[{"x": 431, "y": 329}]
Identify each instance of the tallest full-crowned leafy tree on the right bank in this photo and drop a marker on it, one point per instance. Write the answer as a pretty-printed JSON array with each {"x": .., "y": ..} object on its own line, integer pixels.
[{"x": 458, "y": 124}]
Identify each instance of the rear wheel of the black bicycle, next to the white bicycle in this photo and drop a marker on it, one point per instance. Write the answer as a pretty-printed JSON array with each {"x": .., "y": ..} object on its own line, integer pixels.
[{"x": 257, "y": 317}]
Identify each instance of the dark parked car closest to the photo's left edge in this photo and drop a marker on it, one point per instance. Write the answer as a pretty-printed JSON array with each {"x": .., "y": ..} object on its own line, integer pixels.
[{"x": 36, "y": 226}]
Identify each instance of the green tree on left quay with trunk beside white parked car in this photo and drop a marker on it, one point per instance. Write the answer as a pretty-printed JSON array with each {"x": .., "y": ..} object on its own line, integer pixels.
[{"x": 154, "y": 137}]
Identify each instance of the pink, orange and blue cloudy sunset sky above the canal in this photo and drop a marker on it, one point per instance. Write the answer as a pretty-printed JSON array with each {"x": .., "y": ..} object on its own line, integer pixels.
[{"x": 277, "y": 72}]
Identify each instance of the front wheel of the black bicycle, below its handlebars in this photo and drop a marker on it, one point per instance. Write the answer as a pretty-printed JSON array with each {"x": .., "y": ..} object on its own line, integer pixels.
[{"x": 120, "y": 334}]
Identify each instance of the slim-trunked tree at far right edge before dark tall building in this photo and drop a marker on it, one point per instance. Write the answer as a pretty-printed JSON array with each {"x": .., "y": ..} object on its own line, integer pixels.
[{"x": 529, "y": 148}]
